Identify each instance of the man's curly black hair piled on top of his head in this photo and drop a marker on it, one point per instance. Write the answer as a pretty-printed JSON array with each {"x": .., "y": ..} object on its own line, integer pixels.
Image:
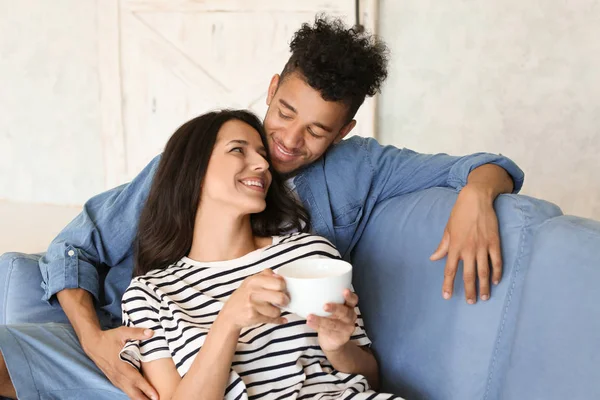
[{"x": 343, "y": 64}]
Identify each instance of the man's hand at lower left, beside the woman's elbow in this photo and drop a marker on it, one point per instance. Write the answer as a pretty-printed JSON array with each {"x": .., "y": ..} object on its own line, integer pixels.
[{"x": 104, "y": 347}]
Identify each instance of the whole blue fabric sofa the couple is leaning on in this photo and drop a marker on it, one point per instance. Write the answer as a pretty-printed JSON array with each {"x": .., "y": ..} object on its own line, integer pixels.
[{"x": 538, "y": 337}]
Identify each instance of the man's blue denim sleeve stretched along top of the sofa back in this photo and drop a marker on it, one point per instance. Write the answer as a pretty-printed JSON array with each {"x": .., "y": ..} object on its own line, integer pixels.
[{"x": 400, "y": 171}]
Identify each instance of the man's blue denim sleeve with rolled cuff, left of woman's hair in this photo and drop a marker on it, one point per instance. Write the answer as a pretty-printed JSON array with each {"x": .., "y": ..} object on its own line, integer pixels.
[{"x": 103, "y": 233}]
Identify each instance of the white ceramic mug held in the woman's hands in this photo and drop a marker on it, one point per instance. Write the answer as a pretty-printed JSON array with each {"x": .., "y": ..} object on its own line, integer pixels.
[{"x": 313, "y": 282}]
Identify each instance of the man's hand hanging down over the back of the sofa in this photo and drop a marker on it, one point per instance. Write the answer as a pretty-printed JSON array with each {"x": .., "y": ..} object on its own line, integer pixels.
[{"x": 472, "y": 236}]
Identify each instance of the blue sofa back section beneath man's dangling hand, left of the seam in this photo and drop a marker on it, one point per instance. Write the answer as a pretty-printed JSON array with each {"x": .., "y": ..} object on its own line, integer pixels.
[{"x": 428, "y": 347}]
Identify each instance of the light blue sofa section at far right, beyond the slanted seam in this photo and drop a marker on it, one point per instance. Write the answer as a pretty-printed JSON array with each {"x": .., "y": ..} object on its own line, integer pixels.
[{"x": 558, "y": 327}]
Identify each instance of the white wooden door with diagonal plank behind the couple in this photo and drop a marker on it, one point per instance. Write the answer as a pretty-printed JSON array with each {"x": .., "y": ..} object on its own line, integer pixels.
[{"x": 163, "y": 62}]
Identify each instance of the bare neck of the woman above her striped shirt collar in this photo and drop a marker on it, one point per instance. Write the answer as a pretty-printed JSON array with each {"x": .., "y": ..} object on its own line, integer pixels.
[{"x": 221, "y": 236}]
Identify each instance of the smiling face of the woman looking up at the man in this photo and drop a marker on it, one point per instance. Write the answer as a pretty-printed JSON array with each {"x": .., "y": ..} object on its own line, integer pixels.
[{"x": 238, "y": 176}]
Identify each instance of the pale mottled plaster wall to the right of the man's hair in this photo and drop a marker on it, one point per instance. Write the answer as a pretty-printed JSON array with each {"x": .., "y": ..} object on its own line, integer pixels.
[{"x": 521, "y": 78}]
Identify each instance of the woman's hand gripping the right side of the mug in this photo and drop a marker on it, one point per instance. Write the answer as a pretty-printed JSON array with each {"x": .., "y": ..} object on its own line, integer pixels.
[{"x": 335, "y": 331}]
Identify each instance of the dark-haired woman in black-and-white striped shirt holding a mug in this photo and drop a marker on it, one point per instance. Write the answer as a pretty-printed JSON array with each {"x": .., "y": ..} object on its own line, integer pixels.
[{"x": 209, "y": 239}]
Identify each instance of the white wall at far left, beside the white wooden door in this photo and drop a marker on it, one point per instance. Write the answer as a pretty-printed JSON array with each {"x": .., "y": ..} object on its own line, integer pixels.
[{"x": 50, "y": 145}]
